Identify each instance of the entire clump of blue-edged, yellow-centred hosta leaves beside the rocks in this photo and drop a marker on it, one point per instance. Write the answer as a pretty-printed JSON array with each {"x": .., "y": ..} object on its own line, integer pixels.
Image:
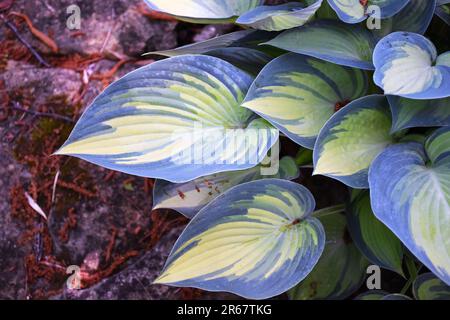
[{"x": 356, "y": 82}]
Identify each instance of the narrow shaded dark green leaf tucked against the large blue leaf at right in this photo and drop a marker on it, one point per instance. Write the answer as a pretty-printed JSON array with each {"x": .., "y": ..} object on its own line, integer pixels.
[{"x": 373, "y": 238}]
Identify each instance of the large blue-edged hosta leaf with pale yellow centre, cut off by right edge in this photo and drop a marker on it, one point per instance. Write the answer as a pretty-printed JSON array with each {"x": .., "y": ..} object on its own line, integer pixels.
[{"x": 410, "y": 194}]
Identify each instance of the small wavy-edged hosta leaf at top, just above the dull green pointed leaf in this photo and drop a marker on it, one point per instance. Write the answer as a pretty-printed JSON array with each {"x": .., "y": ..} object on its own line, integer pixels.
[{"x": 280, "y": 17}]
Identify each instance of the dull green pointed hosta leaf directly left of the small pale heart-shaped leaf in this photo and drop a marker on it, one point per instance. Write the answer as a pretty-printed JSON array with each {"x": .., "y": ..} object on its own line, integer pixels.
[{"x": 330, "y": 40}]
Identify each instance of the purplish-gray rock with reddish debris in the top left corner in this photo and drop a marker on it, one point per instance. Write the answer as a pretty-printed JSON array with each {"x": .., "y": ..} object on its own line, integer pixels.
[{"x": 116, "y": 26}]
